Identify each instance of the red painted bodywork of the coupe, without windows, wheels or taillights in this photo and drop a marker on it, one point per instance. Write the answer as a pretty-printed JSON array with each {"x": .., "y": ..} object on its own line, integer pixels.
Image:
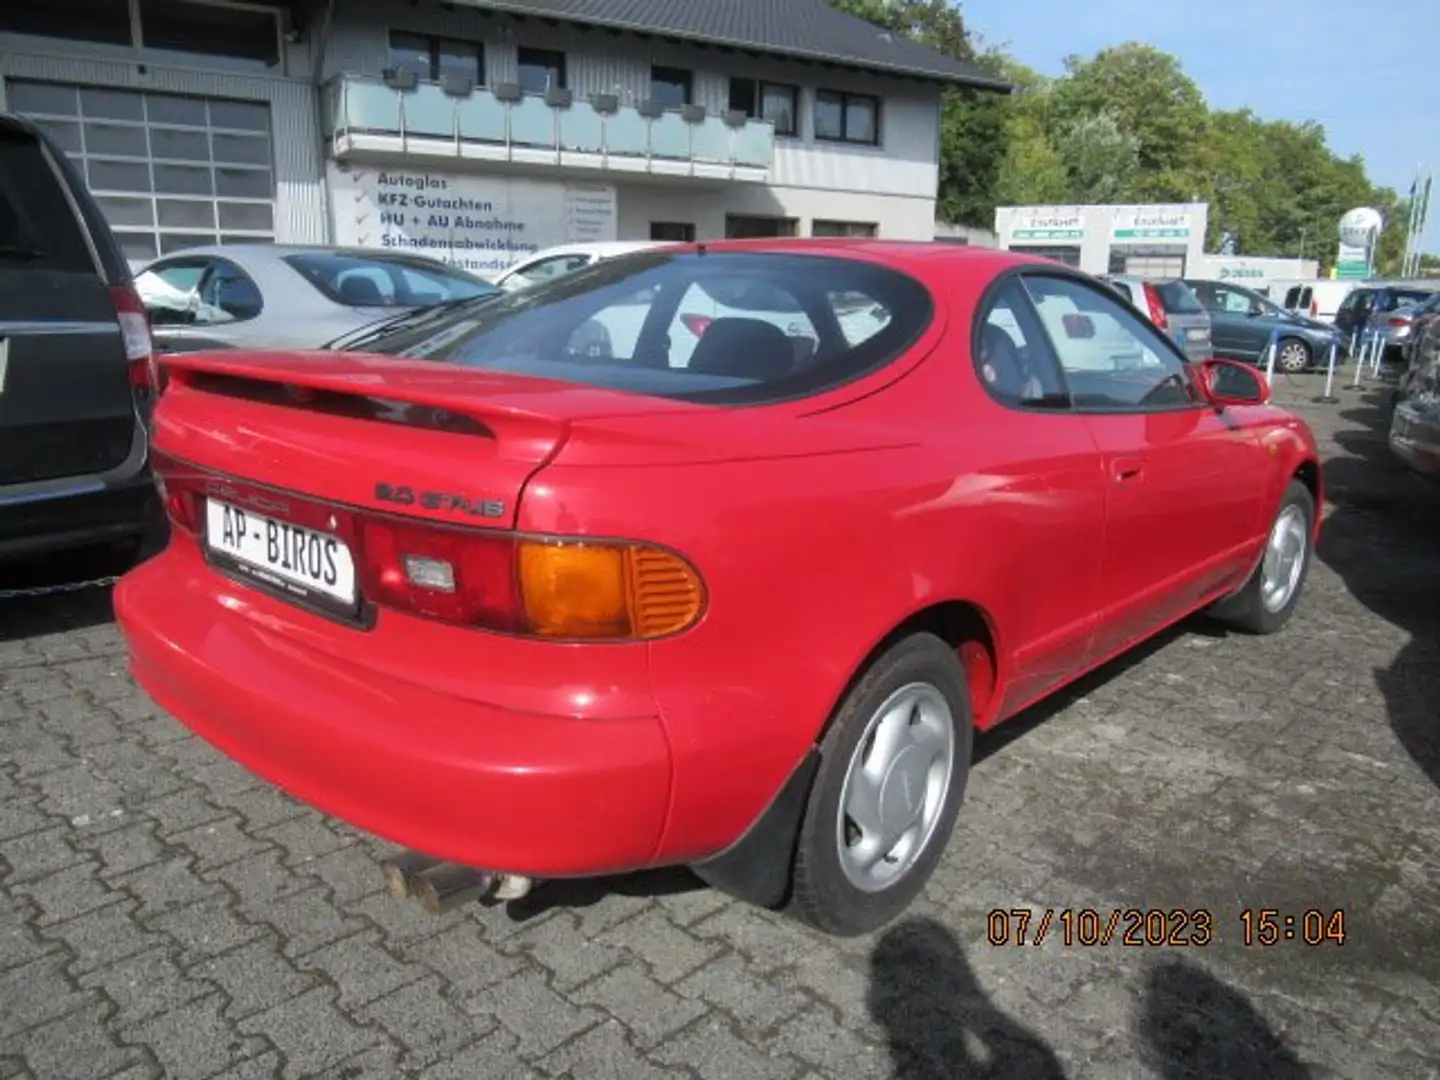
[{"x": 819, "y": 528}]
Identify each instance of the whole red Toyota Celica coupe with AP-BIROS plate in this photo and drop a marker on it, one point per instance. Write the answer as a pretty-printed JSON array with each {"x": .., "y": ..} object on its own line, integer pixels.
[{"x": 522, "y": 610}]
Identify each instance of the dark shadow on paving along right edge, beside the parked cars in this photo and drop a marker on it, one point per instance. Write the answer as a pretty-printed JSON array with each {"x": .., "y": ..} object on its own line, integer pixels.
[{"x": 1383, "y": 539}]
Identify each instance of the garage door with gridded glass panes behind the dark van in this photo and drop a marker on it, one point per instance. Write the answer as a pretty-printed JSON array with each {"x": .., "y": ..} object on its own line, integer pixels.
[{"x": 171, "y": 172}]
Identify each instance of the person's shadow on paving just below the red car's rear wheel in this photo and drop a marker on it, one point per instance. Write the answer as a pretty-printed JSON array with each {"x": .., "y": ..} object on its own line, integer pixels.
[{"x": 940, "y": 1025}]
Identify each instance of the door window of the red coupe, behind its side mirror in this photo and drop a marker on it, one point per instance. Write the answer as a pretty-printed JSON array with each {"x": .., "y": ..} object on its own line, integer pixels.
[{"x": 1112, "y": 359}]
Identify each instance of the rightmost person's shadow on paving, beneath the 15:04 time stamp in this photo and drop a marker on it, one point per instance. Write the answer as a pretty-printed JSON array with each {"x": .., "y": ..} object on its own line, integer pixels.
[{"x": 1194, "y": 1027}]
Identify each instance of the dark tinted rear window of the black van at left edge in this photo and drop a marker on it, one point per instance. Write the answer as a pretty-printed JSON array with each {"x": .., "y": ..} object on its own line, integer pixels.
[{"x": 38, "y": 230}]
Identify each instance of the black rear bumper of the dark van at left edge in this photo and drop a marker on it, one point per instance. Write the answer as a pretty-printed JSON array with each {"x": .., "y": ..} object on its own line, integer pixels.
[{"x": 68, "y": 519}]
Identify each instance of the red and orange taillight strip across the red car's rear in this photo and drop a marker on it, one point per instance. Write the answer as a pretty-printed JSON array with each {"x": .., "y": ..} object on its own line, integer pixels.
[{"x": 555, "y": 588}]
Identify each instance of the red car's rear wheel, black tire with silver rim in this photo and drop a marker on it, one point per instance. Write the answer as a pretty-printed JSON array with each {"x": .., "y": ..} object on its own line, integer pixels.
[{"x": 904, "y": 734}]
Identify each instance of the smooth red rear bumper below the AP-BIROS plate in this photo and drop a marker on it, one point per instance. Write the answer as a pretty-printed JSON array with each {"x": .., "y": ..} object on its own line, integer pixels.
[{"x": 490, "y": 787}]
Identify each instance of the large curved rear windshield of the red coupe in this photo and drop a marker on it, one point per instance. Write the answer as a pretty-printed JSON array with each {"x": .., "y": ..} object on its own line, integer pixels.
[{"x": 721, "y": 328}]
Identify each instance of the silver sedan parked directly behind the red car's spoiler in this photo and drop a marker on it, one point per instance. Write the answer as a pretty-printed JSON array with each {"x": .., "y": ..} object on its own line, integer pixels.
[{"x": 261, "y": 296}]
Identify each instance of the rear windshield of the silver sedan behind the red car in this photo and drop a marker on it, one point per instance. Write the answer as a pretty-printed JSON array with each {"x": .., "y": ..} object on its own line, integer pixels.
[{"x": 381, "y": 282}]
